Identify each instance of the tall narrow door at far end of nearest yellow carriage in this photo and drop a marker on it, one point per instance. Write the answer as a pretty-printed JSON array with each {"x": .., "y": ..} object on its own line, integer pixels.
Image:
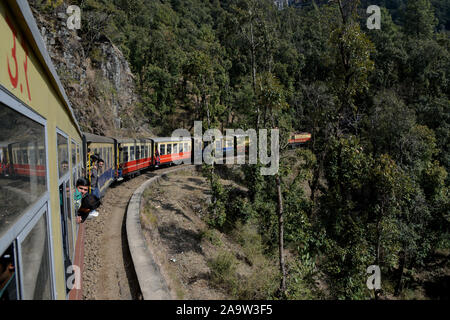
[{"x": 65, "y": 202}]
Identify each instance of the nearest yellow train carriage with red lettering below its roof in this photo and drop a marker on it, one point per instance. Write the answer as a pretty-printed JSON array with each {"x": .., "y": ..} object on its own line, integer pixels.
[{"x": 38, "y": 230}]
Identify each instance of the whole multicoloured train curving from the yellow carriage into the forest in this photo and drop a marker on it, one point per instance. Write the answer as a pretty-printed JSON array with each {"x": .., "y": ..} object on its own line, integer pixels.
[{"x": 43, "y": 152}]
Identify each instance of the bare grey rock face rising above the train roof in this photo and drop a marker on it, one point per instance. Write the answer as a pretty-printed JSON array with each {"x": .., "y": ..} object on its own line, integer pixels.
[{"x": 97, "y": 78}]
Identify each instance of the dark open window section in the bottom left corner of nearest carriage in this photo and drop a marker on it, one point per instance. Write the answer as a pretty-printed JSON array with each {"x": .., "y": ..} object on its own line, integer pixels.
[{"x": 8, "y": 279}]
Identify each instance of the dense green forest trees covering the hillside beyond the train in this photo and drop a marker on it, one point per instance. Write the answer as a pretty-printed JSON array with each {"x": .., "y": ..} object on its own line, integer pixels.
[{"x": 376, "y": 102}]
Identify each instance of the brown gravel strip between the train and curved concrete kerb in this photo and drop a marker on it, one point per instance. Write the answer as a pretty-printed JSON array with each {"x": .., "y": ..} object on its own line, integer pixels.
[{"x": 108, "y": 269}]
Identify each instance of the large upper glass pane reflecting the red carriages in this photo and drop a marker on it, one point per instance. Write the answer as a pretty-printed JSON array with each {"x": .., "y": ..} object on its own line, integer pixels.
[{"x": 21, "y": 183}]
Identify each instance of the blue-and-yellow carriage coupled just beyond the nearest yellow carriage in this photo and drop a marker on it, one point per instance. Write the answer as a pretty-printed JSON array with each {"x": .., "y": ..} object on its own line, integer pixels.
[{"x": 104, "y": 148}]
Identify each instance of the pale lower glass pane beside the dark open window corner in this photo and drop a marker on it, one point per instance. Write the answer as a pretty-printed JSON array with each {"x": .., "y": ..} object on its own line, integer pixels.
[{"x": 35, "y": 263}]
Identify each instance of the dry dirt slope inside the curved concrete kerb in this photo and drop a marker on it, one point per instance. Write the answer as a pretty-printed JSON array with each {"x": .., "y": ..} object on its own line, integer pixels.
[{"x": 197, "y": 262}]
